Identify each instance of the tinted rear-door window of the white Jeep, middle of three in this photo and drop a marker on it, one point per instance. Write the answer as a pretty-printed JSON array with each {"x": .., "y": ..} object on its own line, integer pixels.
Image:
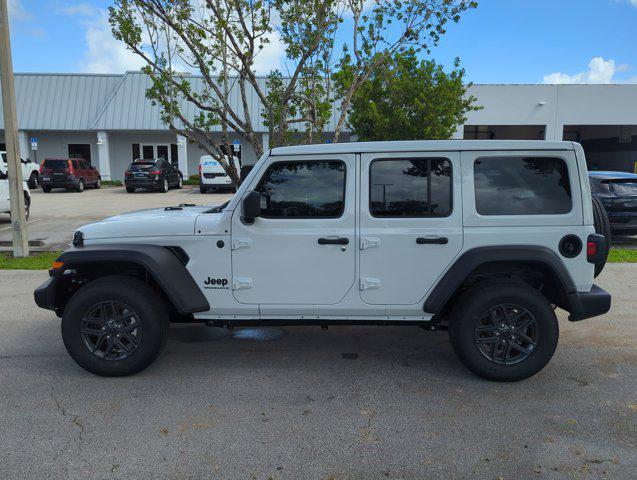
[{"x": 419, "y": 187}]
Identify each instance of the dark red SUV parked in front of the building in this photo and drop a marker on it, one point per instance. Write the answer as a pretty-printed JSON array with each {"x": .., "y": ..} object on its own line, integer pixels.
[{"x": 69, "y": 173}]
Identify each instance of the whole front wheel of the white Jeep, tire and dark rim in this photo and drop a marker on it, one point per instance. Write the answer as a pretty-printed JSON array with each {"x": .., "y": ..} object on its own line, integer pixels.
[{"x": 115, "y": 326}]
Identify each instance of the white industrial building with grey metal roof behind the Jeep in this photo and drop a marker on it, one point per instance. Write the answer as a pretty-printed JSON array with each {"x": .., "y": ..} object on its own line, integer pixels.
[{"x": 108, "y": 120}]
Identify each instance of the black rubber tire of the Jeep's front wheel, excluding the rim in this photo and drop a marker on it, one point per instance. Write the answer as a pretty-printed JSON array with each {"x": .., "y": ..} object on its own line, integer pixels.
[{"x": 142, "y": 299}]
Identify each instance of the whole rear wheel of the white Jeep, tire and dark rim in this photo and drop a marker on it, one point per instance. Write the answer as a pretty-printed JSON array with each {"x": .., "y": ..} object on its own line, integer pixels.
[{"x": 503, "y": 331}]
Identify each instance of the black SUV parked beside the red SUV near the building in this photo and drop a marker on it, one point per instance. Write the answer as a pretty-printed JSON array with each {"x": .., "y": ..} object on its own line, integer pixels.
[{"x": 152, "y": 174}]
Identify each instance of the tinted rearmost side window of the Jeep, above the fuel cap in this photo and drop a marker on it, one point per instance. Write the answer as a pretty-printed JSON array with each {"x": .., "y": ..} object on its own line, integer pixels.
[{"x": 522, "y": 186}]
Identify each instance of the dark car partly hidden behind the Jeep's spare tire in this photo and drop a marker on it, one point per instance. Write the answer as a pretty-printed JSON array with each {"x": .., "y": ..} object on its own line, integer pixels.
[{"x": 617, "y": 192}]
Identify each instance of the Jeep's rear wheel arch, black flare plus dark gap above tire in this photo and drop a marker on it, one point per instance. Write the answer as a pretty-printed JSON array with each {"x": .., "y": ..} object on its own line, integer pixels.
[{"x": 536, "y": 265}]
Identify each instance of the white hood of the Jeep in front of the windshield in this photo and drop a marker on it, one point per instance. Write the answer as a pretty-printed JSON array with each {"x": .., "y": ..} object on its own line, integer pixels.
[{"x": 156, "y": 222}]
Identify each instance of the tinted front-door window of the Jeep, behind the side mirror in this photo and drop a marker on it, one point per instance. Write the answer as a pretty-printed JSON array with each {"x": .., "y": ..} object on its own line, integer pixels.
[{"x": 304, "y": 189}]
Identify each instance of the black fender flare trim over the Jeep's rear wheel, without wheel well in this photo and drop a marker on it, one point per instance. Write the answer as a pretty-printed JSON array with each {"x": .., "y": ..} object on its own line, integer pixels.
[{"x": 474, "y": 258}]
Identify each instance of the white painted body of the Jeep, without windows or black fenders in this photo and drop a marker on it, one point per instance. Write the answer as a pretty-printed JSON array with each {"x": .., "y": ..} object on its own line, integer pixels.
[{"x": 276, "y": 269}]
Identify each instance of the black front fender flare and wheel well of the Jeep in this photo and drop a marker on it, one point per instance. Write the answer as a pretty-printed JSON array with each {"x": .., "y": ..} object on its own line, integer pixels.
[{"x": 162, "y": 267}]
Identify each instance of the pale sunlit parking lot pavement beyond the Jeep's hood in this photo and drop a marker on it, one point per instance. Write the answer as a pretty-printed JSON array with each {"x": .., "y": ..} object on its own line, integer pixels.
[{"x": 56, "y": 215}]
